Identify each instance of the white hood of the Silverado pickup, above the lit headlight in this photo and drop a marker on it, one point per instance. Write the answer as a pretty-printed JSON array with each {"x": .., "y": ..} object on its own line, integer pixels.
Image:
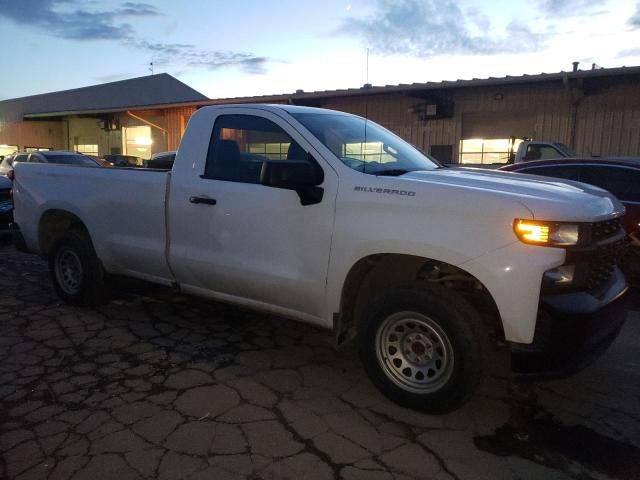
[{"x": 547, "y": 199}]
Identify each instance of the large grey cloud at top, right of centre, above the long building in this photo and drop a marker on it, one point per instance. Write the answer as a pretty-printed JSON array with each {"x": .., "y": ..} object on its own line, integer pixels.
[{"x": 430, "y": 27}]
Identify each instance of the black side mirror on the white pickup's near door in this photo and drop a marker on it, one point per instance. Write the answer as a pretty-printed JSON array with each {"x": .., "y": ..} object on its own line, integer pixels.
[{"x": 301, "y": 176}]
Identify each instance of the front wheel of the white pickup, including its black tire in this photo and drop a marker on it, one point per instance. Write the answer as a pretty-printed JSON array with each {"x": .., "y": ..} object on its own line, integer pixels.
[{"x": 436, "y": 325}]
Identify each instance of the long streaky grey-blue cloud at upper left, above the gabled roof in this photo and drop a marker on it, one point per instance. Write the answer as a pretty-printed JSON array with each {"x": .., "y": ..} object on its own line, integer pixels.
[{"x": 73, "y": 20}]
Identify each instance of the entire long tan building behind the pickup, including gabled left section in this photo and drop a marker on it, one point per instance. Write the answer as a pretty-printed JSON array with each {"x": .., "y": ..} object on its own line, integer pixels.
[{"x": 479, "y": 121}]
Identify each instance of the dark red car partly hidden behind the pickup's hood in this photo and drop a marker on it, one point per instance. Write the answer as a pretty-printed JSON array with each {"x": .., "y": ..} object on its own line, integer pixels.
[{"x": 619, "y": 176}]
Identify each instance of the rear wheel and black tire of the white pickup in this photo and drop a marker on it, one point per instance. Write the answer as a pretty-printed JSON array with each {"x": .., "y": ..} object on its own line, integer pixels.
[{"x": 73, "y": 257}]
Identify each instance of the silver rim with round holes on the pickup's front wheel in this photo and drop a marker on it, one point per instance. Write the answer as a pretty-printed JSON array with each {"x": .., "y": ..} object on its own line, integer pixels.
[{"x": 414, "y": 352}]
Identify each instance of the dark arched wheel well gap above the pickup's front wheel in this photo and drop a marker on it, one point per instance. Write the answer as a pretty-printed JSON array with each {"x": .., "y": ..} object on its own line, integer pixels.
[{"x": 376, "y": 273}]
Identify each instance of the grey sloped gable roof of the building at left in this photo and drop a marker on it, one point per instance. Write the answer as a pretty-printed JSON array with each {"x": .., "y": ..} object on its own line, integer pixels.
[{"x": 148, "y": 91}]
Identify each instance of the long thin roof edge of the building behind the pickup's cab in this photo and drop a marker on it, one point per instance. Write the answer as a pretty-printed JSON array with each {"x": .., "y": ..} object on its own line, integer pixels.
[{"x": 442, "y": 85}]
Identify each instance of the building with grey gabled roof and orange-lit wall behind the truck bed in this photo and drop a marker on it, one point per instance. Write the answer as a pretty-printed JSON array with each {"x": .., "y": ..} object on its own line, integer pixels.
[{"x": 137, "y": 117}]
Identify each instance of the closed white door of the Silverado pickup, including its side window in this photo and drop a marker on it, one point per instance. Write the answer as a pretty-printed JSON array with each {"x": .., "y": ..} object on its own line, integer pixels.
[{"x": 237, "y": 240}]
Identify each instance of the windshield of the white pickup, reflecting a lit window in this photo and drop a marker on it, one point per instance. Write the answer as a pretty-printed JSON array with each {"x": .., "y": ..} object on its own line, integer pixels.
[{"x": 364, "y": 145}]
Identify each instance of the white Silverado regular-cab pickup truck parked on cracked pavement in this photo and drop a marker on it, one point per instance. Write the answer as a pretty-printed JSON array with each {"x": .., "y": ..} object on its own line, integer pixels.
[{"x": 330, "y": 219}]
